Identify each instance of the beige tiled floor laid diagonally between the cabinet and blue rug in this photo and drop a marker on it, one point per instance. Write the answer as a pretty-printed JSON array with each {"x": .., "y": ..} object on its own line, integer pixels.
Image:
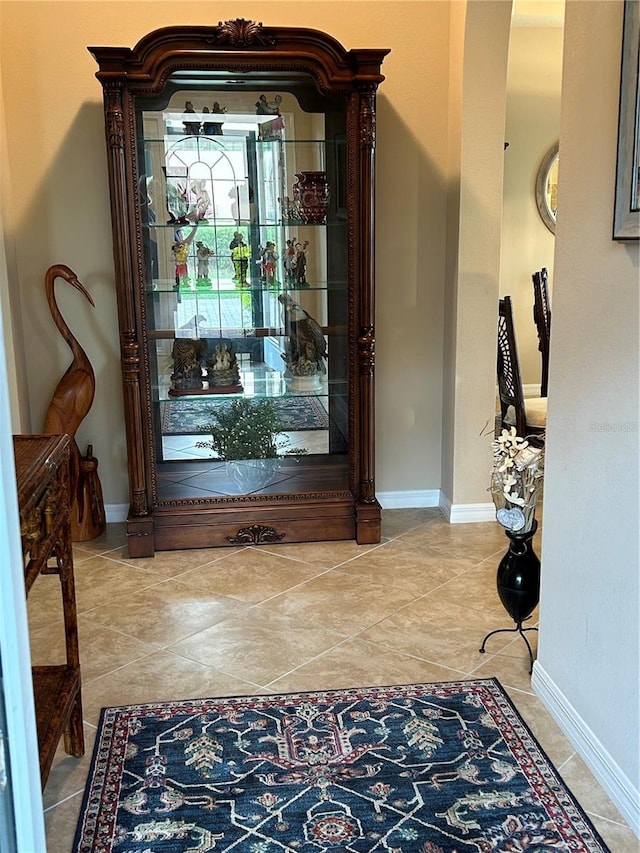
[{"x": 294, "y": 617}]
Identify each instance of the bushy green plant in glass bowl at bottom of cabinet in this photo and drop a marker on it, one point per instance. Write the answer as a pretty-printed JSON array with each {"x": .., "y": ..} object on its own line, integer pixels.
[{"x": 248, "y": 429}]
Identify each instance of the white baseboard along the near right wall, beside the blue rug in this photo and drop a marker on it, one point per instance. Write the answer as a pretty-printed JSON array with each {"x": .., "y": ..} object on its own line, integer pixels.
[{"x": 613, "y": 780}]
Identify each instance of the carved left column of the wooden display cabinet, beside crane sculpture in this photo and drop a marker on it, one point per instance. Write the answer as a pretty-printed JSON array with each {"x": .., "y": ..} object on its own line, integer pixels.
[{"x": 140, "y": 524}]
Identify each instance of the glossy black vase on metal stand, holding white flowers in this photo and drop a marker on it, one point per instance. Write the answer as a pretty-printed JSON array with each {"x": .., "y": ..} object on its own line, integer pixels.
[{"x": 518, "y": 578}]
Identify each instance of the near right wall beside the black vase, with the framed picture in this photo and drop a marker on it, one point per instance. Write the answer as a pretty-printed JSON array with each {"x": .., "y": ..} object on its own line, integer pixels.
[{"x": 588, "y": 658}]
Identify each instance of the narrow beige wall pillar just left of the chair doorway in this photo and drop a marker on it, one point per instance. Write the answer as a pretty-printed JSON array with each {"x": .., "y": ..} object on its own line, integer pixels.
[{"x": 474, "y": 255}]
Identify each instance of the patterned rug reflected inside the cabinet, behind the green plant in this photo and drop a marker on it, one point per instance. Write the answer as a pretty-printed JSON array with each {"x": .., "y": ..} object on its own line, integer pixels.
[{"x": 191, "y": 417}]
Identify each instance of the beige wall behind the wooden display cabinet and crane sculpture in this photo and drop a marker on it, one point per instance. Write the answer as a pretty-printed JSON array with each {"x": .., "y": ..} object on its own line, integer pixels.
[{"x": 59, "y": 208}]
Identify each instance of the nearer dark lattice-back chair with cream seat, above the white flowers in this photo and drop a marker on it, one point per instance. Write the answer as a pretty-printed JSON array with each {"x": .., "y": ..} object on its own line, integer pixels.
[{"x": 529, "y": 416}]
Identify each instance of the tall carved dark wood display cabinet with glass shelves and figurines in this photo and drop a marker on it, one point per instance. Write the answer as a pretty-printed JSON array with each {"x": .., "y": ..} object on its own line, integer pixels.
[{"x": 269, "y": 134}]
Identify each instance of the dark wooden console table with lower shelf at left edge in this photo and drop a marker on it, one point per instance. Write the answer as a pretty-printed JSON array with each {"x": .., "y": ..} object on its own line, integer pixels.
[{"x": 42, "y": 470}]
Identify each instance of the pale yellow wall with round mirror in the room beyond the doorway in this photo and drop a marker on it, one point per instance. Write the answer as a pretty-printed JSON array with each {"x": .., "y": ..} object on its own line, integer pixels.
[{"x": 534, "y": 83}]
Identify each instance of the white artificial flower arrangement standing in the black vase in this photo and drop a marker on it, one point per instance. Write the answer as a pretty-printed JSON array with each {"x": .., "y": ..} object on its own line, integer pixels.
[{"x": 516, "y": 480}]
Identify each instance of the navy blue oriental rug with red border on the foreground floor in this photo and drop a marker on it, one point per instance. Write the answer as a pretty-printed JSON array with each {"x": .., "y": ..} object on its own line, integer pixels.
[{"x": 423, "y": 768}]
